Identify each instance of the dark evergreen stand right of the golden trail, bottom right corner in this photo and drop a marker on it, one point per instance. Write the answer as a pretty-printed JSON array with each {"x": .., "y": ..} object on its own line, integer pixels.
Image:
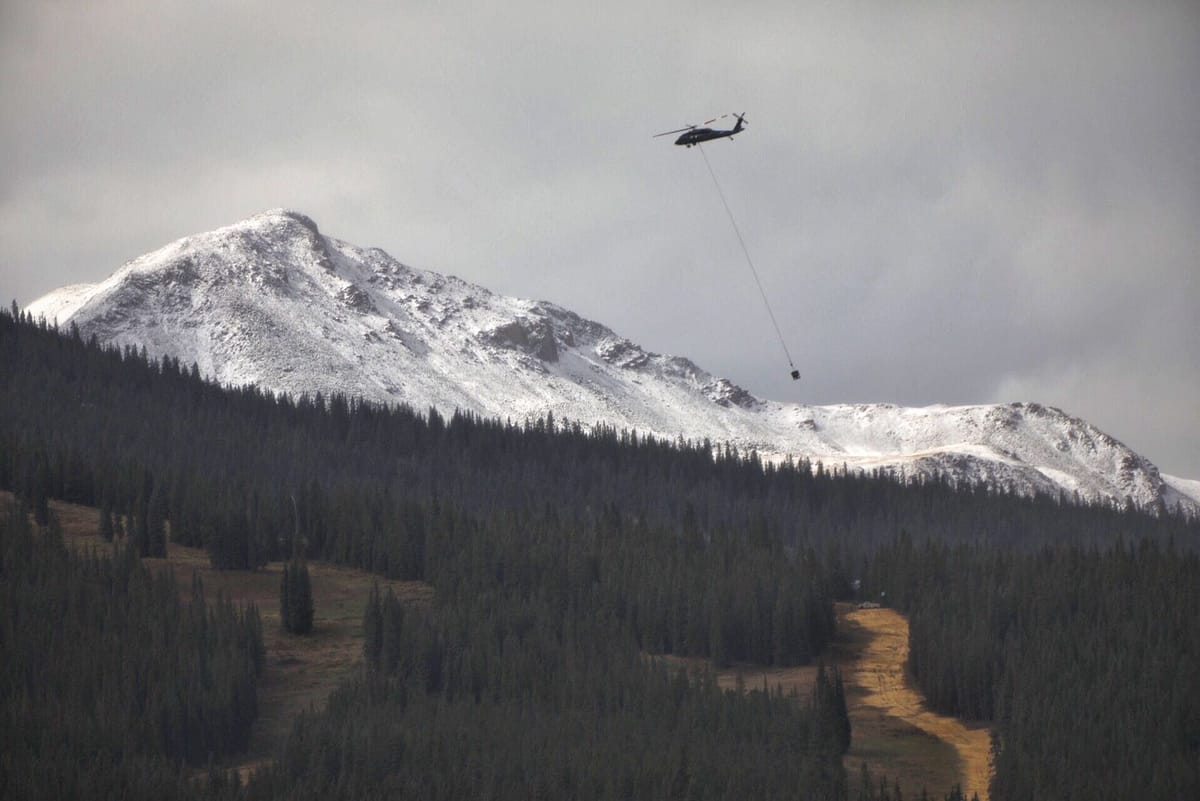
[{"x": 1088, "y": 661}]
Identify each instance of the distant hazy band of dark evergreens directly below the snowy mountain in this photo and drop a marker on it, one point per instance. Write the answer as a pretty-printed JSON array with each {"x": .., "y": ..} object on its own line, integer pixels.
[{"x": 244, "y": 473}]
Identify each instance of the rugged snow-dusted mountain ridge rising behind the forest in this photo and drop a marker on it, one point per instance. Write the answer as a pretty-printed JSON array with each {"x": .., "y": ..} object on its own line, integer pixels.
[{"x": 274, "y": 303}]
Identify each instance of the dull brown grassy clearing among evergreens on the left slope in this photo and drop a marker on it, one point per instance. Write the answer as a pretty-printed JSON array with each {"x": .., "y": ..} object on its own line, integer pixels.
[{"x": 299, "y": 672}]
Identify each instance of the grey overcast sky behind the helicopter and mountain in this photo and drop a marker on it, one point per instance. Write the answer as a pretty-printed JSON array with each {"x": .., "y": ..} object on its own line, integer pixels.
[{"x": 952, "y": 203}]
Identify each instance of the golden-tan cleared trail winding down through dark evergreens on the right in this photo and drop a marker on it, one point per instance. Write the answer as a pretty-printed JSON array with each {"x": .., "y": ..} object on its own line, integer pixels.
[{"x": 879, "y": 679}]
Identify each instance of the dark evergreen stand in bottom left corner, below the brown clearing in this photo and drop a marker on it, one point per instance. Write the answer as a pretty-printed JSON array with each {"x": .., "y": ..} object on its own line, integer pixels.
[{"x": 109, "y": 682}]
